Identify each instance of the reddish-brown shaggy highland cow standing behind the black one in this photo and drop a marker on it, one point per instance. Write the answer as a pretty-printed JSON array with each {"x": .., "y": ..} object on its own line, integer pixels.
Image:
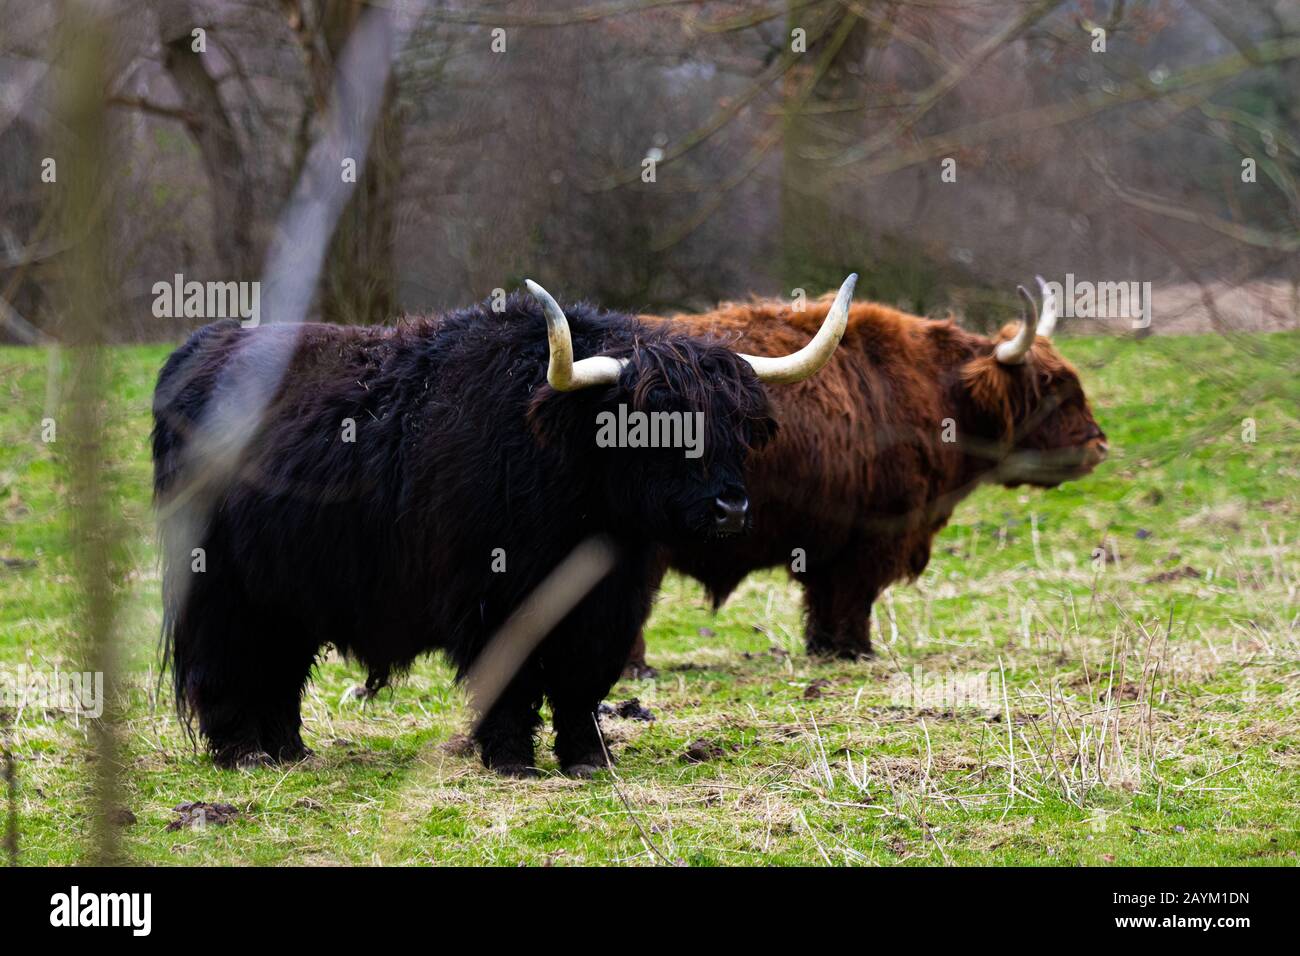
[{"x": 860, "y": 475}]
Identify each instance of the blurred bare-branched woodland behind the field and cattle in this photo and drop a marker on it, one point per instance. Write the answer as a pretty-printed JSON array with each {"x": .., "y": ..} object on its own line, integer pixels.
[{"x": 777, "y": 170}]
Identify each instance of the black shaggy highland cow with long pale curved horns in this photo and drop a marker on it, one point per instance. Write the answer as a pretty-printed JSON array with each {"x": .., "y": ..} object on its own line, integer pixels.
[{"x": 475, "y": 431}]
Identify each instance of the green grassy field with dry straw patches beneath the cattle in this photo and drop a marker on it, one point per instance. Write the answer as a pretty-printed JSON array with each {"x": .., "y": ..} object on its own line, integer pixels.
[{"x": 1030, "y": 704}]
